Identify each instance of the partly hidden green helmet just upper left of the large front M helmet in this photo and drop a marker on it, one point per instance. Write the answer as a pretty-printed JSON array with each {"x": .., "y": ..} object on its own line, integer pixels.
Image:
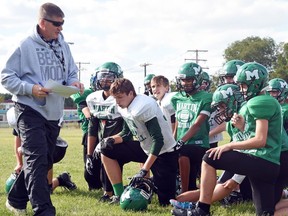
[{"x": 229, "y": 69}]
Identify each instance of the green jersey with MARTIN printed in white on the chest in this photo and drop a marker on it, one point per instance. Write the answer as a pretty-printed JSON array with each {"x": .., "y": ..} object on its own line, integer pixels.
[{"x": 187, "y": 109}]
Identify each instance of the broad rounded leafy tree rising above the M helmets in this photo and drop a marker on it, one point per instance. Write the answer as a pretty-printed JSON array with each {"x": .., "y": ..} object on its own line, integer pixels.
[{"x": 261, "y": 50}]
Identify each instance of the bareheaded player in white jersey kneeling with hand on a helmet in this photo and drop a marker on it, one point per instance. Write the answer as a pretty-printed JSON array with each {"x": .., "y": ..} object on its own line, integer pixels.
[{"x": 155, "y": 148}]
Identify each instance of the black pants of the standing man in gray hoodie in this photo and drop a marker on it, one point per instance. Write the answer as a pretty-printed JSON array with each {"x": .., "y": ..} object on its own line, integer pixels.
[{"x": 38, "y": 137}]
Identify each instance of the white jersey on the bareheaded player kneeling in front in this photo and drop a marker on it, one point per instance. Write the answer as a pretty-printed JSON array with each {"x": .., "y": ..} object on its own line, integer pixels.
[{"x": 142, "y": 109}]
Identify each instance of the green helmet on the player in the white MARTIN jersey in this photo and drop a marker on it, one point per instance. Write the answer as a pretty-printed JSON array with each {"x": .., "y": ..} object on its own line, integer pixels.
[{"x": 105, "y": 75}]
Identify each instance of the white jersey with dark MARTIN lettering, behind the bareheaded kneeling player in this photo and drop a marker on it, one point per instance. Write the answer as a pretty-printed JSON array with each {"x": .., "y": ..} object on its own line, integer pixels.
[{"x": 100, "y": 108}]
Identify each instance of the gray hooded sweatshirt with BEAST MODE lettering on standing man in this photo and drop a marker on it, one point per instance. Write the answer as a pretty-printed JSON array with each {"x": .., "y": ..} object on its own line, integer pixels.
[{"x": 34, "y": 62}]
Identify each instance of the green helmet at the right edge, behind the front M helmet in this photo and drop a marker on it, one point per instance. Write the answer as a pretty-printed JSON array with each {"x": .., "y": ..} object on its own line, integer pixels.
[{"x": 280, "y": 86}]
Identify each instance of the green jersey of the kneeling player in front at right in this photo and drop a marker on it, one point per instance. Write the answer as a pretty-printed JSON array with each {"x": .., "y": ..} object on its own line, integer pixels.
[{"x": 264, "y": 107}]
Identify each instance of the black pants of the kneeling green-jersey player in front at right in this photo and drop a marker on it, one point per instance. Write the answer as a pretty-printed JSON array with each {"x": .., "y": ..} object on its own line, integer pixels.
[{"x": 261, "y": 173}]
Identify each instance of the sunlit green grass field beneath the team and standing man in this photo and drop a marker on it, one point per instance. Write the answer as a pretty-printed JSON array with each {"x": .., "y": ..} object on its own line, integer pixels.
[{"x": 81, "y": 201}]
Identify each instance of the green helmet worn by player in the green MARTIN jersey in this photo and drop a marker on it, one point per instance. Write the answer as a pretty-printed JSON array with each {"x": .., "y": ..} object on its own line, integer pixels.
[{"x": 189, "y": 71}]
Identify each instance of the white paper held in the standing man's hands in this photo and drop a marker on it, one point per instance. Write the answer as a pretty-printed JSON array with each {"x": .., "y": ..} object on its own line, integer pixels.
[{"x": 64, "y": 91}]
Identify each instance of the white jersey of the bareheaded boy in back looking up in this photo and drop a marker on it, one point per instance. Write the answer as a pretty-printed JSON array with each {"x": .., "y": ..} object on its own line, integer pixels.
[{"x": 167, "y": 107}]
